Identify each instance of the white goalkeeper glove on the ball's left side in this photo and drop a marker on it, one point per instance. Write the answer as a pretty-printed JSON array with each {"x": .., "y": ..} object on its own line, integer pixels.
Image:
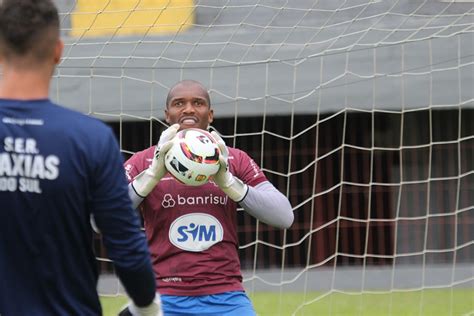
[{"x": 146, "y": 181}]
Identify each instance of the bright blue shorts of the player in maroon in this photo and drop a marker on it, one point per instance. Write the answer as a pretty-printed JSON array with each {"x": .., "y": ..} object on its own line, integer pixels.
[{"x": 224, "y": 304}]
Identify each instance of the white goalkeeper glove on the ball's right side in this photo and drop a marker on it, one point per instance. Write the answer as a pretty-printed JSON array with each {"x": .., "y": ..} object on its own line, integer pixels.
[{"x": 230, "y": 185}]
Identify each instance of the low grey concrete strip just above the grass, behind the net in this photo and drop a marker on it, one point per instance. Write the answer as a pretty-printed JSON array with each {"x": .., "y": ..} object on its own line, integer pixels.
[{"x": 414, "y": 277}]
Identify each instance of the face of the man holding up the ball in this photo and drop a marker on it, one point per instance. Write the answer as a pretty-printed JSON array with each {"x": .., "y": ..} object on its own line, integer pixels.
[{"x": 189, "y": 107}]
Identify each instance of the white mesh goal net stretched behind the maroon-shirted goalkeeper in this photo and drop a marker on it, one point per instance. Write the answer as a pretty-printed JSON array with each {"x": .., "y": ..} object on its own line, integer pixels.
[{"x": 359, "y": 111}]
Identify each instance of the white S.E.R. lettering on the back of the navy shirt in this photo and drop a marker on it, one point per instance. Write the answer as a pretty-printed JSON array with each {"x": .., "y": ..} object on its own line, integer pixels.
[{"x": 22, "y": 166}]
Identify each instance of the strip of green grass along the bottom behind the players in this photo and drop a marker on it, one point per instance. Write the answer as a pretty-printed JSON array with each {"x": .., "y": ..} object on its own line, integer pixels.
[{"x": 427, "y": 302}]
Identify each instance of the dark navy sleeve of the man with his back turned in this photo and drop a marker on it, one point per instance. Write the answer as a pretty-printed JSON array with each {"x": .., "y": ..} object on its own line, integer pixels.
[{"x": 119, "y": 223}]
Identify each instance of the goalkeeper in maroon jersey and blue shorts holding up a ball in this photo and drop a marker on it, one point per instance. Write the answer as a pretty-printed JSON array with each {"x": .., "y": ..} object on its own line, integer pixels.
[{"x": 195, "y": 257}]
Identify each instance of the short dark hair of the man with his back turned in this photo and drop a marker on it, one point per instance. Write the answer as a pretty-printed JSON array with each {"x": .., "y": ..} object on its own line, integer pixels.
[{"x": 28, "y": 27}]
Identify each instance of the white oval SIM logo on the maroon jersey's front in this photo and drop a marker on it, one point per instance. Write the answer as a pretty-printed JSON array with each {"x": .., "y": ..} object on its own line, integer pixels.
[{"x": 196, "y": 232}]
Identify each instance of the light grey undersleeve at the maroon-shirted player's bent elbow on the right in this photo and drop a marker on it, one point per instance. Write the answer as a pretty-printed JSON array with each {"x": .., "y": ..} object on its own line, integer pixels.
[{"x": 268, "y": 205}]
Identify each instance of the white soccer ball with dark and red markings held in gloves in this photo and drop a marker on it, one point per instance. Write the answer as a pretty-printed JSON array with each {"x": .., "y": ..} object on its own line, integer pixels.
[{"x": 193, "y": 157}]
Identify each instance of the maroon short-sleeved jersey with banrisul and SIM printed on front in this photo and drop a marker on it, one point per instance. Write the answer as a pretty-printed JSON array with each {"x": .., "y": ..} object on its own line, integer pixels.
[{"x": 191, "y": 231}]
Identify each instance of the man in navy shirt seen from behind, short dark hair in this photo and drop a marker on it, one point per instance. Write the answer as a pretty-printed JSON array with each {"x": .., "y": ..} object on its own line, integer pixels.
[{"x": 57, "y": 168}]
